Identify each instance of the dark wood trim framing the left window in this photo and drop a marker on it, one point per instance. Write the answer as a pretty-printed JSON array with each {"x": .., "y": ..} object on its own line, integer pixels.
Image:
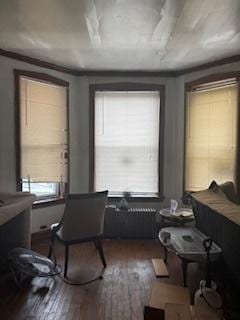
[{"x": 52, "y": 80}]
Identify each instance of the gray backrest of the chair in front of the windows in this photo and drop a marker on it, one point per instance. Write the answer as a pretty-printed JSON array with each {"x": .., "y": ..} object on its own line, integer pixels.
[{"x": 83, "y": 216}]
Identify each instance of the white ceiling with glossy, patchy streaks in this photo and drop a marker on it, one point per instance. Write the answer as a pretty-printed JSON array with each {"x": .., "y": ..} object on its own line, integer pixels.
[{"x": 122, "y": 34}]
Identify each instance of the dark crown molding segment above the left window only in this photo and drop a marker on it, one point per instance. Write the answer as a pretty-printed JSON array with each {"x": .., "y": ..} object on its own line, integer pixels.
[{"x": 37, "y": 62}]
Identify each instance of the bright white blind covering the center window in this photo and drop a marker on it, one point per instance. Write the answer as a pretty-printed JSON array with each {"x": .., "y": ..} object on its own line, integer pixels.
[{"x": 127, "y": 141}]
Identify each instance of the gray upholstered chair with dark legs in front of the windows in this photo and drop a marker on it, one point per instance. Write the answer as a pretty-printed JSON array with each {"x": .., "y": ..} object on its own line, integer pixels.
[{"x": 82, "y": 221}]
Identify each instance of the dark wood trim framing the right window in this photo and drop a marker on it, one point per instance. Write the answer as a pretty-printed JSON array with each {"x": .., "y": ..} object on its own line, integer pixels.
[{"x": 189, "y": 86}]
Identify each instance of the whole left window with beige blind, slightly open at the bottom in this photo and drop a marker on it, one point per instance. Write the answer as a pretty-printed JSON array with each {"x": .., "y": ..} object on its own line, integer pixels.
[{"x": 43, "y": 138}]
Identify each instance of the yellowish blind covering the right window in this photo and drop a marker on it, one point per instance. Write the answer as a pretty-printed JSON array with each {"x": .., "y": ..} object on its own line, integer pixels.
[{"x": 211, "y": 135}]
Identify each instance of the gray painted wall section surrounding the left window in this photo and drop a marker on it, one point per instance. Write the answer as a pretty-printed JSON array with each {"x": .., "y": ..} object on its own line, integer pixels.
[{"x": 48, "y": 215}]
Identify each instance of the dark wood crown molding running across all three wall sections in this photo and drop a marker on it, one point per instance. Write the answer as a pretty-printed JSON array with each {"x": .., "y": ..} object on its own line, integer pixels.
[{"x": 117, "y": 73}]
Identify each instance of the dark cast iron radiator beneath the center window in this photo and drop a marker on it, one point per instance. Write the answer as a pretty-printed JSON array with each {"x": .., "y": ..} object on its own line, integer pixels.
[{"x": 134, "y": 223}]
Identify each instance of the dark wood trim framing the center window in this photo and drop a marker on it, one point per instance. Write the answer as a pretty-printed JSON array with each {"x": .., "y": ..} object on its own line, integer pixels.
[{"x": 128, "y": 87}]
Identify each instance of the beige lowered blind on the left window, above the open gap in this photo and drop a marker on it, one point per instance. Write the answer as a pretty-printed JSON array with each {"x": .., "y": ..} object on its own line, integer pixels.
[{"x": 43, "y": 131}]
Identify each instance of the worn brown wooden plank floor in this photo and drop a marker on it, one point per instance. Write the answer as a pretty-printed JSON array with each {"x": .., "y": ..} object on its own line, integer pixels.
[{"x": 121, "y": 295}]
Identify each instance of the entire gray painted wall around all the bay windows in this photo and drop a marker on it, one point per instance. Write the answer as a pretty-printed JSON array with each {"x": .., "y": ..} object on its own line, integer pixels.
[{"x": 79, "y": 132}]
